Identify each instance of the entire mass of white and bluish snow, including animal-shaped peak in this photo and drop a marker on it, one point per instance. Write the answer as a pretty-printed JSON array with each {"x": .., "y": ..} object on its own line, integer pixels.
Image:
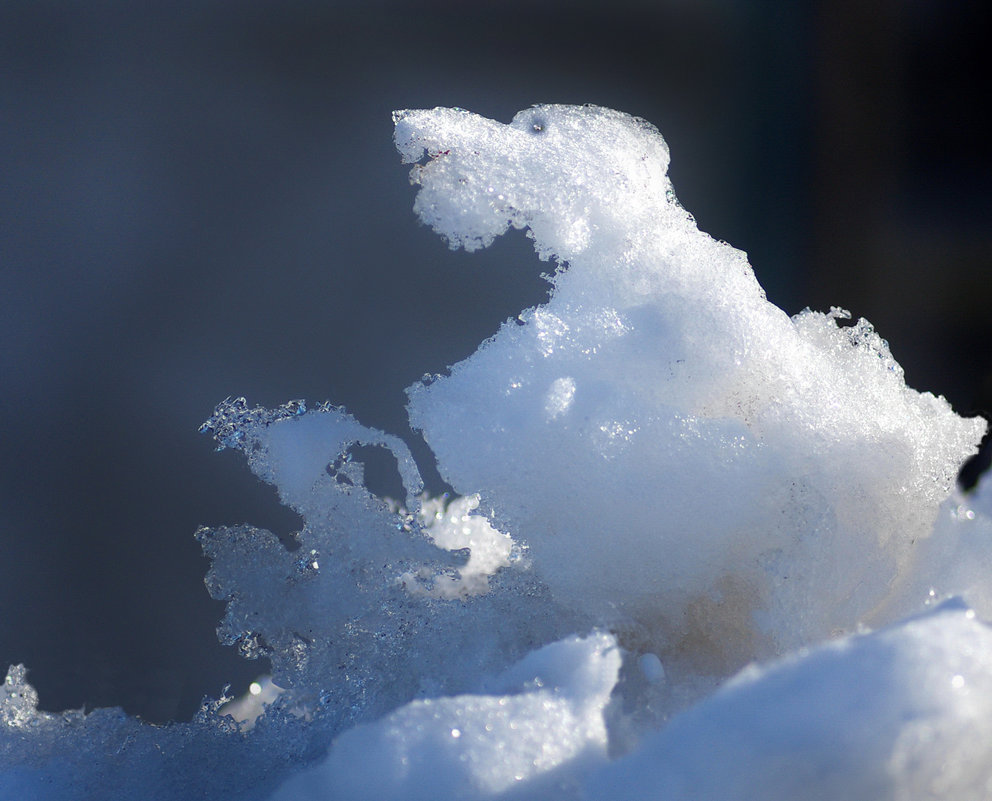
[{"x": 681, "y": 513}]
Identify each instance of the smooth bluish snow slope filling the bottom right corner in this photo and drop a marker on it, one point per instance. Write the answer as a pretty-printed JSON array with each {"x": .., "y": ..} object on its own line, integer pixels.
[{"x": 904, "y": 713}]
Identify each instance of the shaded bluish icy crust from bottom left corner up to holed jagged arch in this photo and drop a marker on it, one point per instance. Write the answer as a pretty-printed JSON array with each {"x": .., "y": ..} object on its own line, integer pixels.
[{"x": 361, "y": 615}]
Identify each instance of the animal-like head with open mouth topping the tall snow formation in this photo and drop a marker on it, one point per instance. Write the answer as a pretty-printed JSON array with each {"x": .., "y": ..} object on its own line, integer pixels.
[{"x": 481, "y": 176}]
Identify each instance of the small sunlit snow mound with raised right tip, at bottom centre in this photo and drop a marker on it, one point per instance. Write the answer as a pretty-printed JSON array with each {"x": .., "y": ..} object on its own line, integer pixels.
[{"x": 540, "y": 727}]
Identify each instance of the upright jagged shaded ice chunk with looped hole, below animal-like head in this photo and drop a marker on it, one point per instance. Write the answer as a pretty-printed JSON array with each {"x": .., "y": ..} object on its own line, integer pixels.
[{"x": 359, "y": 617}]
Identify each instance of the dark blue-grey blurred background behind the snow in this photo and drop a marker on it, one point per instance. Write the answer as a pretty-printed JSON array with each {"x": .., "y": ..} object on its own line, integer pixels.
[{"x": 200, "y": 200}]
